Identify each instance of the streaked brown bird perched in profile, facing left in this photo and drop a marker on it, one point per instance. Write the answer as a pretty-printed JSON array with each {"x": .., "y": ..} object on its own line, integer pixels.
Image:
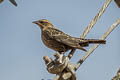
[{"x": 60, "y": 41}]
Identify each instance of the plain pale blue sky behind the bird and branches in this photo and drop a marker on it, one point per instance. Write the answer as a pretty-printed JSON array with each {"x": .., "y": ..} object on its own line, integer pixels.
[{"x": 21, "y": 48}]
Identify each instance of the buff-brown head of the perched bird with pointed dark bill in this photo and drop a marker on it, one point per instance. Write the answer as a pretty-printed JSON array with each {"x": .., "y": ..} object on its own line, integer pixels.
[{"x": 43, "y": 23}]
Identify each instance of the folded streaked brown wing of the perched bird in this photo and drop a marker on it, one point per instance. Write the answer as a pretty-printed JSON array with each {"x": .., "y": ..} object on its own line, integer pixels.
[{"x": 65, "y": 38}]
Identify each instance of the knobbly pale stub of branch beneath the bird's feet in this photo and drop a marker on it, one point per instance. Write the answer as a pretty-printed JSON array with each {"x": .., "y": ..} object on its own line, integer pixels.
[{"x": 64, "y": 70}]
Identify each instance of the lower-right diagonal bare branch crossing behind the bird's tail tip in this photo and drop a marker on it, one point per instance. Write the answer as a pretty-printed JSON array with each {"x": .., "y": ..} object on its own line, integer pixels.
[{"x": 96, "y": 45}]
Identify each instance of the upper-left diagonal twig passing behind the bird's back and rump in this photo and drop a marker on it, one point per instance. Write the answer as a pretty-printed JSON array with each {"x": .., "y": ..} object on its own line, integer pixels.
[{"x": 92, "y": 23}]
